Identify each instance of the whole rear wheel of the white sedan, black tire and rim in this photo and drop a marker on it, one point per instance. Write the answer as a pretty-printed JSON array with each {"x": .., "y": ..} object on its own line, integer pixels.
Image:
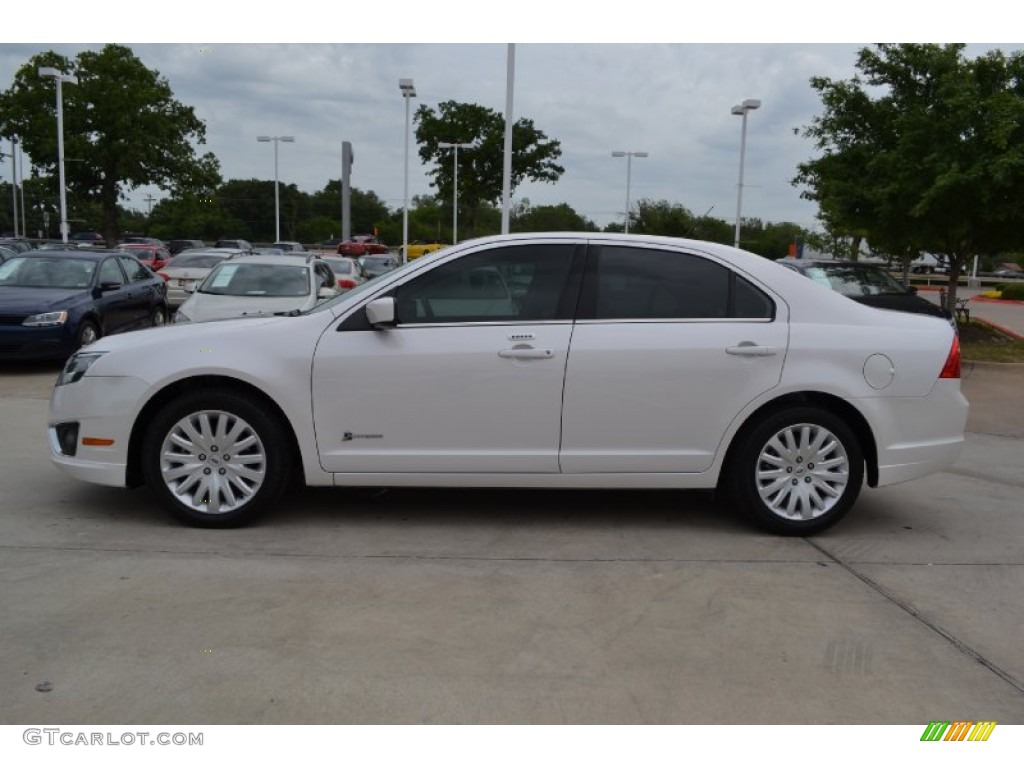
[{"x": 779, "y": 475}]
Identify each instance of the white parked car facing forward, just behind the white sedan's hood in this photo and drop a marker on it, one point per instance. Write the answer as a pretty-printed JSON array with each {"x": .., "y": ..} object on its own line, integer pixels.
[{"x": 260, "y": 286}]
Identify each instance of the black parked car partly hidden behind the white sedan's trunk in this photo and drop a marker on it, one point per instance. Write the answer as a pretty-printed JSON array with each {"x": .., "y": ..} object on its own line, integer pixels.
[{"x": 868, "y": 284}]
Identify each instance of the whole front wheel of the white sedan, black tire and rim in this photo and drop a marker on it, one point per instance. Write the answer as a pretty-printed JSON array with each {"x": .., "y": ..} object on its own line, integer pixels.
[{"x": 247, "y": 473}]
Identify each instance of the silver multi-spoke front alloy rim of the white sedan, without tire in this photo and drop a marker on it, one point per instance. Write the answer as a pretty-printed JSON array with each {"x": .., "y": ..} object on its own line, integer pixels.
[{"x": 214, "y": 462}]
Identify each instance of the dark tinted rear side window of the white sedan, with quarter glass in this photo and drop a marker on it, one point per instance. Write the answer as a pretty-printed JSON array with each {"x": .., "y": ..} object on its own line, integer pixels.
[{"x": 650, "y": 284}]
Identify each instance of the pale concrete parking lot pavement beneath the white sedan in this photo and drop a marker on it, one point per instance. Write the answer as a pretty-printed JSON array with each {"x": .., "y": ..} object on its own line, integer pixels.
[{"x": 472, "y": 607}]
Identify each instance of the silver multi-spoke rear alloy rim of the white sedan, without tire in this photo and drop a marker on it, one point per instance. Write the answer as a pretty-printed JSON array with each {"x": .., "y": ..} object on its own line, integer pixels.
[{"x": 802, "y": 473}]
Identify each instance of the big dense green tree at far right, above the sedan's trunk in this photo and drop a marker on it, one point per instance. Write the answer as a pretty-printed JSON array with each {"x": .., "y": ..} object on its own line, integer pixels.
[{"x": 923, "y": 152}]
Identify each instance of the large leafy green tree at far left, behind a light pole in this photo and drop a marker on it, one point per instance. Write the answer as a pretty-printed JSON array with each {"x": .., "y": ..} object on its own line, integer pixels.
[{"x": 123, "y": 129}]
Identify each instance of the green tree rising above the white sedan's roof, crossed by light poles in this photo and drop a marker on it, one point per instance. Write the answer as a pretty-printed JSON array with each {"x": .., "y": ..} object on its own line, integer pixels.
[{"x": 481, "y": 168}]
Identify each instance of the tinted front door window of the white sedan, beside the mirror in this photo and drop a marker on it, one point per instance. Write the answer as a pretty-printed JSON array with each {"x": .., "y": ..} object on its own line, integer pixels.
[{"x": 514, "y": 284}]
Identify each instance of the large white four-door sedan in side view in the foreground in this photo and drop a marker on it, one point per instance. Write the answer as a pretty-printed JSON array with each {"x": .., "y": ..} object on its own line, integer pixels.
[{"x": 537, "y": 361}]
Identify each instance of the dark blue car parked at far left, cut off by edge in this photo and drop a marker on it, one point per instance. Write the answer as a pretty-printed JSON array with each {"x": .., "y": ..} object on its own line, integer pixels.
[{"x": 54, "y": 303}]
